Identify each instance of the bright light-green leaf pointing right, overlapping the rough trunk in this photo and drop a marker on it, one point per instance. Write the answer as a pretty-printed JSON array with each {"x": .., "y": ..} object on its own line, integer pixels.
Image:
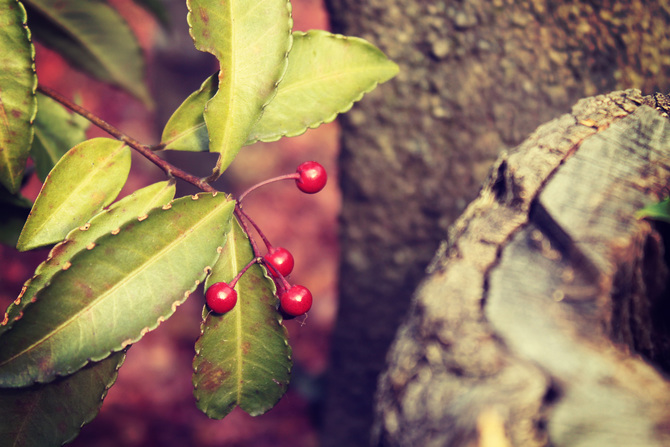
[{"x": 326, "y": 74}]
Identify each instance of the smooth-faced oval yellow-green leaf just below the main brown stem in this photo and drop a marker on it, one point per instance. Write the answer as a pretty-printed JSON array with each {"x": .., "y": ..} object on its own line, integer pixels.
[{"x": 85, "y": 180}]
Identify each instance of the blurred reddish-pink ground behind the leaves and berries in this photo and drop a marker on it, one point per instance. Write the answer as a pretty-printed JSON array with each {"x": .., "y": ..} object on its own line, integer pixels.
[{"x": 151, "y": 403}]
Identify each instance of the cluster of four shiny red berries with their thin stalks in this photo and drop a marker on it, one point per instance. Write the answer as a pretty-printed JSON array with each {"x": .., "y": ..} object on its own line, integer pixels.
[{"x": 294, "y": 300}]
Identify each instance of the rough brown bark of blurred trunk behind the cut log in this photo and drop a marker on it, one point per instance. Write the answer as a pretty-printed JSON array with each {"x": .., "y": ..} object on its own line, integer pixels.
[{"x": 477, "y": 76}]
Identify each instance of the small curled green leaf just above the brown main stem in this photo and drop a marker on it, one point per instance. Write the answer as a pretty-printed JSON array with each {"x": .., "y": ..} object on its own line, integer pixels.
[{"x": 186, "y": 130}]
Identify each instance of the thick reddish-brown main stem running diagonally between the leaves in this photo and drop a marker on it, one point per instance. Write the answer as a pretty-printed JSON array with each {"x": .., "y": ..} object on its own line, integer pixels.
[{"x": 144, "y": 150}]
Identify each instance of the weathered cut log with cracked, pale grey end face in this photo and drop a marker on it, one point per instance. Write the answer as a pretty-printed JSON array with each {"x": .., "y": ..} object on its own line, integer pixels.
[{"x": 544, "y": 310}]
